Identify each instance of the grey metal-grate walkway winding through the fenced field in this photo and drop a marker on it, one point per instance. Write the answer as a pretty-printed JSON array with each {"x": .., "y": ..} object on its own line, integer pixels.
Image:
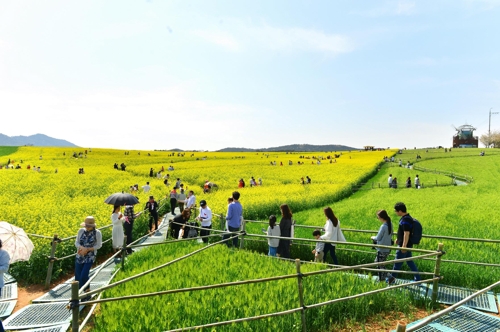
[{"x": 49, "y": 312}]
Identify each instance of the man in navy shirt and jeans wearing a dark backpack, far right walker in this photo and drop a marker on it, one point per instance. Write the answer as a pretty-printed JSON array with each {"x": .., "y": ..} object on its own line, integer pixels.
[{"x": 403, "y": 241}]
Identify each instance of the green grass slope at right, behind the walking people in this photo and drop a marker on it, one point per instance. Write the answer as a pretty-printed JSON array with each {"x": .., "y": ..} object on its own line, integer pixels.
[{"x": 469, "y": 211}]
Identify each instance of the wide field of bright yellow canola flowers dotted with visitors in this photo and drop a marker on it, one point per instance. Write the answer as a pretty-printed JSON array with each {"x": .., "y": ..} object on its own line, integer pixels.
[{"x": 47, "y": 202}]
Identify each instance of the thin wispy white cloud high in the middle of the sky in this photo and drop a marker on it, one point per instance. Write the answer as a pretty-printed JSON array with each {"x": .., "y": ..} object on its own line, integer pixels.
[{"x": 267, "y": 37}]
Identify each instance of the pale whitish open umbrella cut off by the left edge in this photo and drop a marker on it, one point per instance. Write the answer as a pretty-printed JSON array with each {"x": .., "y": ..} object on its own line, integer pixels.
[{"x": 16, "y": 242}]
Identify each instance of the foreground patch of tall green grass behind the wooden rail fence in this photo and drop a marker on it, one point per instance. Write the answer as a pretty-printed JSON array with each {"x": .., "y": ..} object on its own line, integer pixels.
[{"x": 220, "y": 264}]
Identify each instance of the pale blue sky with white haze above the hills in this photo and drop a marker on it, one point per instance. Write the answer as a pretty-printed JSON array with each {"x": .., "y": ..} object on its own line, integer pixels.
[{"x": 206, "y": 75}]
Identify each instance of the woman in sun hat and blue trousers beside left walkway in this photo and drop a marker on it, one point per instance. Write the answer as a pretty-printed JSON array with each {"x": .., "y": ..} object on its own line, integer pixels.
[{"x": 88, "y": 241}]
